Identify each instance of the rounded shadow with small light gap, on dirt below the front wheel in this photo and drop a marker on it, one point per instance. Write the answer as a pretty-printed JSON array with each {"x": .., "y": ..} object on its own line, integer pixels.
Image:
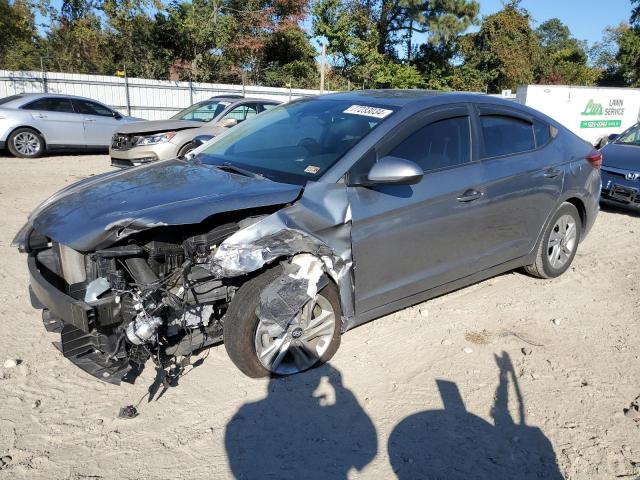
[{"x": 310, "y": 426}]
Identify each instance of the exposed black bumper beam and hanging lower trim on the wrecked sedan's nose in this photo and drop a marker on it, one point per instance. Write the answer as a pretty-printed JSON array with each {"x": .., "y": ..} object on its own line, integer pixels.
[{"x": 80, "y": 325}]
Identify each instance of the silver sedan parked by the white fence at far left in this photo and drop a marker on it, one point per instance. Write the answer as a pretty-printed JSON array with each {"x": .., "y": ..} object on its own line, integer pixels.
[{"x": 33, "y": 123}]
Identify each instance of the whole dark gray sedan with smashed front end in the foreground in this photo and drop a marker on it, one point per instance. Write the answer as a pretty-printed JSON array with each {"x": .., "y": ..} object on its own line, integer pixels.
[{"x": 311, "y": 219}]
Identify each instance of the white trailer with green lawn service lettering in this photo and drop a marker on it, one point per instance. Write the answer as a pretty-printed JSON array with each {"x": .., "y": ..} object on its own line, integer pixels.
[{"x": 592, "y": 113}]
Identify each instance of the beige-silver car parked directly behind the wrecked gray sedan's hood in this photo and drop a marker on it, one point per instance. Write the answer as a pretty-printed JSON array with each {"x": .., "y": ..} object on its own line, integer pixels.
[{"x": 164, "y": 139}]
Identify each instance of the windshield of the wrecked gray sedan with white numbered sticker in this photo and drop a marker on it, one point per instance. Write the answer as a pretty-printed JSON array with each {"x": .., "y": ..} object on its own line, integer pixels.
[{"x": 298, "y": 141}]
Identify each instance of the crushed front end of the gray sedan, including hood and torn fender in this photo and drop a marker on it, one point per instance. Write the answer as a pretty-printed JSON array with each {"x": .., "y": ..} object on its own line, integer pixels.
[{"x": 154, "y": 277}]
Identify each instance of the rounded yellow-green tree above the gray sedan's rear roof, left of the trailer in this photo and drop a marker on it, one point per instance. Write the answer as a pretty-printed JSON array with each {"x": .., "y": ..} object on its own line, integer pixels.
[{"x": 505, "y": 51}]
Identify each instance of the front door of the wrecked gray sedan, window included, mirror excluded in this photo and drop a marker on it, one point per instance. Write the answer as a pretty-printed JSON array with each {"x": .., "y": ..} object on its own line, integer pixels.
[{"x": 410, "y": 238}]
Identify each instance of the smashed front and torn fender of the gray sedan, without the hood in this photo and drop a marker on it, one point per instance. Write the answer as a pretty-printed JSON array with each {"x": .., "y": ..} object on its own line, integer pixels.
[{"x": 164, "y": 293}]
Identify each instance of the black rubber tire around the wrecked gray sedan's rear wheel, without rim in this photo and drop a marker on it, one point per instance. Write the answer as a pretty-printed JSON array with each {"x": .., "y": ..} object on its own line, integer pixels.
[{"x": 542, "y": 267}]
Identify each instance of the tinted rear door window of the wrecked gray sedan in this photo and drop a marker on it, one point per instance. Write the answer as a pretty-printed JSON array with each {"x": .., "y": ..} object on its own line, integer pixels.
[{"x": 504, "y": 135}]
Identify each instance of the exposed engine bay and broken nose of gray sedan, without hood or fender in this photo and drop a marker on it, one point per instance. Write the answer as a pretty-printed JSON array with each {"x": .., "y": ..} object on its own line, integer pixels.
[{"x": 117, "y": 307}]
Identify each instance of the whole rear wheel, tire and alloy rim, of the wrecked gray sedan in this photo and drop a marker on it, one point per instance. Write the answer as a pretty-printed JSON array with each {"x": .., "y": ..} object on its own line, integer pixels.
[{"x": 559, "y": 244}]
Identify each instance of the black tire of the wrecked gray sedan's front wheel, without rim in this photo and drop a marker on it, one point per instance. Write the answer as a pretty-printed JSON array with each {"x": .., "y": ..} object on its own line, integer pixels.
[{"x": 241, "y": 323}]
